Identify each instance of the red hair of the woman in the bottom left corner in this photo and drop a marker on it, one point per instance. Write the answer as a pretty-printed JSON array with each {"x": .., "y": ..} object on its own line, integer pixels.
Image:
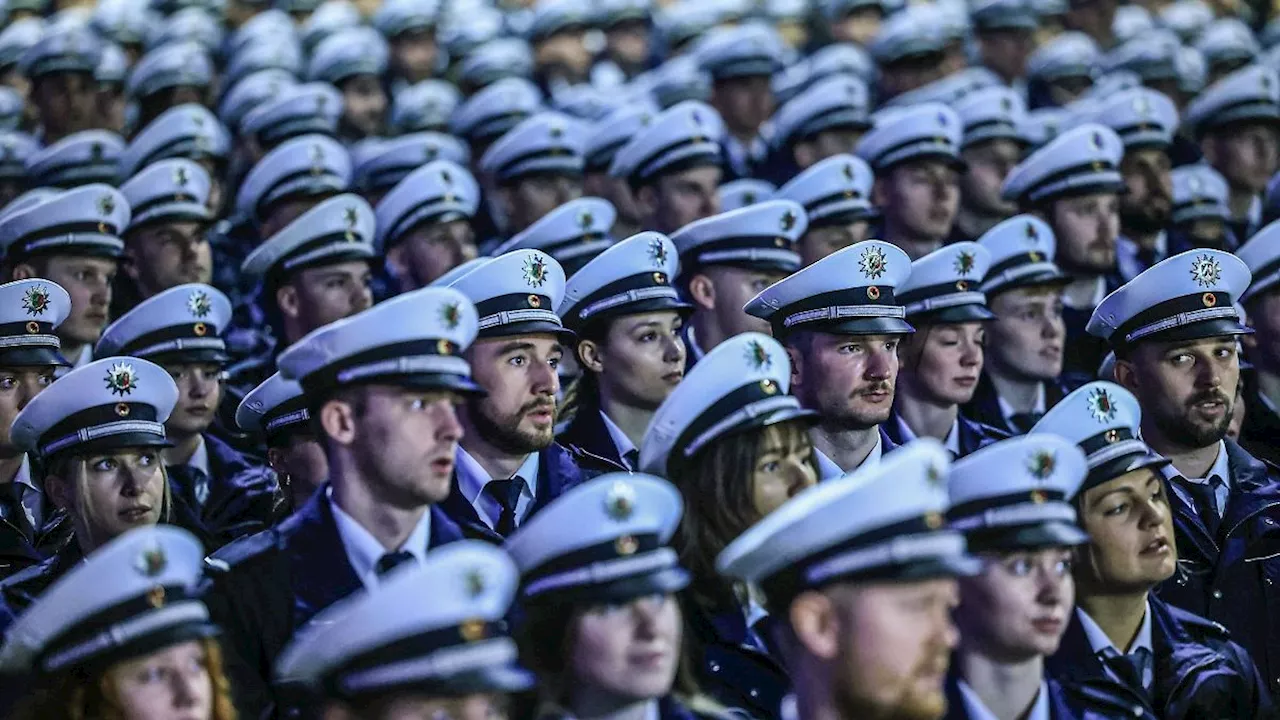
[{"x": 76, "y": 696}]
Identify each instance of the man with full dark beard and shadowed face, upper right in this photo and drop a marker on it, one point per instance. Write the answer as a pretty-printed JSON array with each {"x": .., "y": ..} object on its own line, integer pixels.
[{"x": 1146, "y": 122}]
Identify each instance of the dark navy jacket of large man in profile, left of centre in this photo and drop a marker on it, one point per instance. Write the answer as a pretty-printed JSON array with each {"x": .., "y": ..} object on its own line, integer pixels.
[{"x": 263, "y": 589}]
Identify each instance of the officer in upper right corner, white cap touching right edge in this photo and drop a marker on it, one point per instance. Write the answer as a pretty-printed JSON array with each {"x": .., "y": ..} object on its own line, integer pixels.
[{"x": 1235, "y": 124}]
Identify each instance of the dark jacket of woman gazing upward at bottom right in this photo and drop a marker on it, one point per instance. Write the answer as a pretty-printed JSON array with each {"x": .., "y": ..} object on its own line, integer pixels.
[{"x": 1199, "y": 672}]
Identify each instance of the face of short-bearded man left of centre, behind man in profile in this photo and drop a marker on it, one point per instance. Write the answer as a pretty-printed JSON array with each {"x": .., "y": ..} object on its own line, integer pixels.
[{"x": 522, "y": 380}]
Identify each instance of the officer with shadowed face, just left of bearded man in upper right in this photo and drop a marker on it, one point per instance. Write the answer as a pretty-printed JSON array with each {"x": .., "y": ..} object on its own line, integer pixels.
[{"x": 994, "y": 142}]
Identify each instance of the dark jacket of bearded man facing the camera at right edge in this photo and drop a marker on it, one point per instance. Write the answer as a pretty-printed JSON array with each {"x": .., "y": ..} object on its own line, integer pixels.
[{"x": 1235, "y": 580}]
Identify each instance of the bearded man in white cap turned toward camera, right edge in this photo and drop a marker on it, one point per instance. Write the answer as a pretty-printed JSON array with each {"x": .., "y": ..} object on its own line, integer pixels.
[{"x": 1176, "y": 335}]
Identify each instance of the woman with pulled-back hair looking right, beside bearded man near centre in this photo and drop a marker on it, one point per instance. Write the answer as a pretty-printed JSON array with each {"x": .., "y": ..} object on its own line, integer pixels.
[{"x": 628, "y": 317}]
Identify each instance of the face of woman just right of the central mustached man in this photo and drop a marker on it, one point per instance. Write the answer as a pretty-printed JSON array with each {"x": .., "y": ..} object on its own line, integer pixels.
[{"x": 944, "y": 362}]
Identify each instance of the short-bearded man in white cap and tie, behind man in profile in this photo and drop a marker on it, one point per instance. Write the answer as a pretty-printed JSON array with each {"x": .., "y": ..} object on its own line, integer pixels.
[{"x": 509, "y": 466}]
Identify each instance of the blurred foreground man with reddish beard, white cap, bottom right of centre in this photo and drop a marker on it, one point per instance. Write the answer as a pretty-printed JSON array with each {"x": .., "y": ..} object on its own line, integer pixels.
[{"x": 826, "y": 567}]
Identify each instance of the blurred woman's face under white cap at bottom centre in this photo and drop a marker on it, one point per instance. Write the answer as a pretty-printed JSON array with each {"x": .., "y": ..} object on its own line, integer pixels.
[{"x": 628, "y": 651}]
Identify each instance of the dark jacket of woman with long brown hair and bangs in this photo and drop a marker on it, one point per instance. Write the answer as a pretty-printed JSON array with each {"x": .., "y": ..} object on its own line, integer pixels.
[{"x": 729, "y": 668}]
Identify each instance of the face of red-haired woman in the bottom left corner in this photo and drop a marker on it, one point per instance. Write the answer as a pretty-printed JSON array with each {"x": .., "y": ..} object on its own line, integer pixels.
[{"x": 168, "y": 685}]
